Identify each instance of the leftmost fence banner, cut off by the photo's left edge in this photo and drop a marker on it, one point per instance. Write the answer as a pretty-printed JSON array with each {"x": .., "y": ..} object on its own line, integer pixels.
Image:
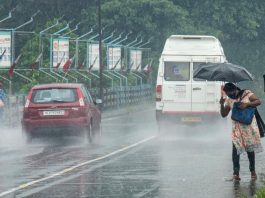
[{"x": 5, "y": 49}]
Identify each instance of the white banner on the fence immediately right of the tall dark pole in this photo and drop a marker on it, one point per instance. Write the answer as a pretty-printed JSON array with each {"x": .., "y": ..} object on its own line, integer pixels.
[{"x": 114, "y": 58}]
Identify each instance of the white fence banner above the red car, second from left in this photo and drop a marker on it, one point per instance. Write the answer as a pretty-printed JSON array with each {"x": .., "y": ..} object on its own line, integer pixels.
[{"x": 60, "y": 52}]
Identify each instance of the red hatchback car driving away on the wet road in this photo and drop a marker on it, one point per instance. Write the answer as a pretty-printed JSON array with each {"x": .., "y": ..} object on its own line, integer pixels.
[{"x": 60, "y": 107}]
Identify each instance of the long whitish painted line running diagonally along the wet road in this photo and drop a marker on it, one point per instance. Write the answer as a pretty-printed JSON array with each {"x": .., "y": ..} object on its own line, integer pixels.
[{"x": 22, "y": 186}]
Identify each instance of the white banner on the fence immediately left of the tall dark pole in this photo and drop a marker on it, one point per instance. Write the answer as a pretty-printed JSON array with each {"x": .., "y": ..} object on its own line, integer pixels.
[{"x": 93, "y": 56}]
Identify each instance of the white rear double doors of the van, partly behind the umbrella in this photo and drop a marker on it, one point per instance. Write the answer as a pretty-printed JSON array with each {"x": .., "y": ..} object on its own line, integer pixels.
[{"x": 183, "y": 94}]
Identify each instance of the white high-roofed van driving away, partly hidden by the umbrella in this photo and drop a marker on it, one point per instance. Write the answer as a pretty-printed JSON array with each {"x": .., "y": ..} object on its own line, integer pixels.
[{"x": 180, "y": 97}]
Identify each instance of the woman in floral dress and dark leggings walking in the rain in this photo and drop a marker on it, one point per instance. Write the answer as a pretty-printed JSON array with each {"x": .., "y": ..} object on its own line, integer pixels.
[{"x": 245, "y": 137}]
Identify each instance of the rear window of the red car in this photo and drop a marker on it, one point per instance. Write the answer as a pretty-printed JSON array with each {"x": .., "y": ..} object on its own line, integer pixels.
[{"x": 54, "y": 95}]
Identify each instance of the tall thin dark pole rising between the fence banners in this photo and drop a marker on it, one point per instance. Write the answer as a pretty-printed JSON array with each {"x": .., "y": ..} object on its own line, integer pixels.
[{"x": 100, "y": 54}]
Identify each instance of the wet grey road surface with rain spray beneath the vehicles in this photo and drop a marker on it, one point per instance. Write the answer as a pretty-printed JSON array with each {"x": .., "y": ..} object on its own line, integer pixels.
[{"x": 130, "y": 160}]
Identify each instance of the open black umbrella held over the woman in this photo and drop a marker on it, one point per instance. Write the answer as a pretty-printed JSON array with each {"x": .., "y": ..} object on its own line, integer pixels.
[{"x": 227, "y": 72}]
